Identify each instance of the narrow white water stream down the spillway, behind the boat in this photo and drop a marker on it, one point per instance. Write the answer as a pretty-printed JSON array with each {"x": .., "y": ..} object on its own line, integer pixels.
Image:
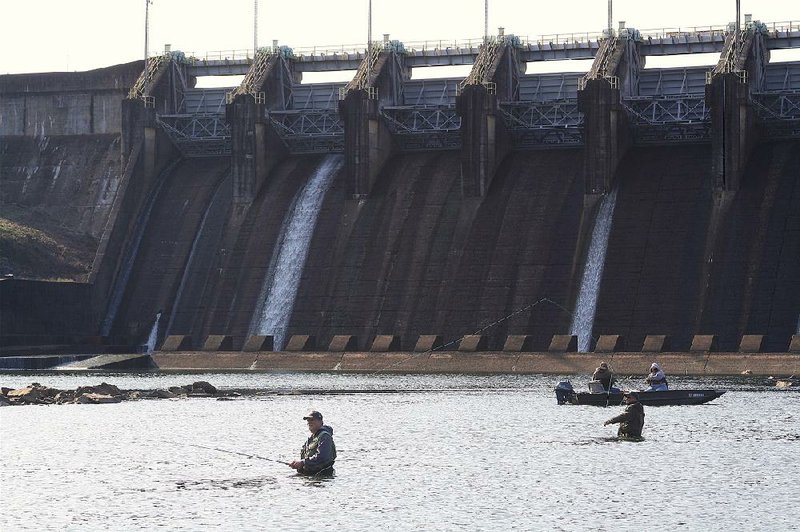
[{"x": 583, "y": 318}]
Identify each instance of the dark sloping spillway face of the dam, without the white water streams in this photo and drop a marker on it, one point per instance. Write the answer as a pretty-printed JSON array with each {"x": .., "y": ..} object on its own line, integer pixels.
[{"x": 417, "y": 258}]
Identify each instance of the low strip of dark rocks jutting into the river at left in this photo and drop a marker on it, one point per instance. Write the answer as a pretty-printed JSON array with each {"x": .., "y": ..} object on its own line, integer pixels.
[{"x": 36, "y": 394}]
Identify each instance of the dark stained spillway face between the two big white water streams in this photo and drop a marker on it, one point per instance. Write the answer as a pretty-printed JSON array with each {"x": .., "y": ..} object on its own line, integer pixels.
[{"x": 418, "y": 258}]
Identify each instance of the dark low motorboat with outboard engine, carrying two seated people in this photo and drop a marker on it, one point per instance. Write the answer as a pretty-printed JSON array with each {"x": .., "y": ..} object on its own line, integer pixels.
[{"x": 565, "y": 394}]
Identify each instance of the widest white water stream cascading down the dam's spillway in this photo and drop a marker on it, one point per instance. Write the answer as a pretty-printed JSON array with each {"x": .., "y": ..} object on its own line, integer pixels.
[{"x": 280, "y": 287}]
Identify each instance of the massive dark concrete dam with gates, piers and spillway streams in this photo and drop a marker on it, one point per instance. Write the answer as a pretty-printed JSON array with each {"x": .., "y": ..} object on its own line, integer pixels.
[{"x": 625, "y": 209}]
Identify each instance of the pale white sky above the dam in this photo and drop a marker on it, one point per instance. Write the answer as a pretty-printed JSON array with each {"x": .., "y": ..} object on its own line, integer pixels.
[{"x": 71, "y": 35}]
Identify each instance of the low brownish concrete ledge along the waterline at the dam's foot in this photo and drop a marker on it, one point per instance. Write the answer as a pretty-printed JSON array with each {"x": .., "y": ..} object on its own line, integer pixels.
[{"x": 688, "y": 364}]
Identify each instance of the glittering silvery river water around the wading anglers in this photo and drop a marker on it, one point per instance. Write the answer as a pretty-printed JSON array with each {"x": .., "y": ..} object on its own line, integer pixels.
[{"x": 432, "y": 452}]
